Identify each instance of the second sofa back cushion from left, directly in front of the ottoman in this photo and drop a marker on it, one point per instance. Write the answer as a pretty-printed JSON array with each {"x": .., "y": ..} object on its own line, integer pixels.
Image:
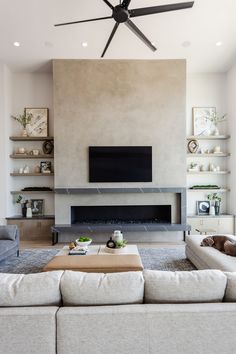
[{"x": 83, "y": 289}]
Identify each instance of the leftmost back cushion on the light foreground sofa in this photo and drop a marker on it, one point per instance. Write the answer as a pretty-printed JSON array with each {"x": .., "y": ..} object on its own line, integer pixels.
[{"x": 41, "y": 289}]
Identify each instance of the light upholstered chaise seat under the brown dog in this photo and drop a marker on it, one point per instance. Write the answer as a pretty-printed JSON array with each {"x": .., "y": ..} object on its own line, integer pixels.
[{"x": 208, "y": 257}]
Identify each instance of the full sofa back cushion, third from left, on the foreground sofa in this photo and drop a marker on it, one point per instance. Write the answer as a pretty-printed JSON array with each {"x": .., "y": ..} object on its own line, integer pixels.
[{"x": 184, "y": 287}]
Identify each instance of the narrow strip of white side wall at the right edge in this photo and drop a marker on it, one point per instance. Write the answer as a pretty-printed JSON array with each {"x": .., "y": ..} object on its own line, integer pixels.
[{"x": 231, "y": 107}]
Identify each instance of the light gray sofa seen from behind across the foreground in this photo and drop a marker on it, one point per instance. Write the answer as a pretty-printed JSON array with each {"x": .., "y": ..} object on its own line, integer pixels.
[{"x": 153, "y": 312}]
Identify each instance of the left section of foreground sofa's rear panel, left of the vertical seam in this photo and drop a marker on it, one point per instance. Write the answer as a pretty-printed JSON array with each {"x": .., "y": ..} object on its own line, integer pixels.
[{"x": 28, "y": 330}]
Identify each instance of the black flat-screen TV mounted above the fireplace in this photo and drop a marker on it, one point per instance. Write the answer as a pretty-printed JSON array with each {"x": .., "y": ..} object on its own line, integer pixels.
[{"x": 120, "y": 164}]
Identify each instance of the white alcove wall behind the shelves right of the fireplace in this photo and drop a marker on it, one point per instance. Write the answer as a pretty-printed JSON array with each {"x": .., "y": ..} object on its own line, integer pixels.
[{"x": 206, "y": 90}]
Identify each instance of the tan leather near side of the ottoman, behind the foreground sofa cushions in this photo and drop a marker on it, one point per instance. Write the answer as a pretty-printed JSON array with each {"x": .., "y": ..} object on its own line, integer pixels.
[{"x": 96, "y": 264}]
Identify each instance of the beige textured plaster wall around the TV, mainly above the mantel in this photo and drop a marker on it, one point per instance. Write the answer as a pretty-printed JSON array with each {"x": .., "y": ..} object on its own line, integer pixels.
[{"x": 118, "y": 102}]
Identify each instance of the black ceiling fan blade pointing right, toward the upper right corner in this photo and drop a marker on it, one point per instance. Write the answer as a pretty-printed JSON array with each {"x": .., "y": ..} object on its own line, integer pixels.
[{"x": 159, "y": 9}]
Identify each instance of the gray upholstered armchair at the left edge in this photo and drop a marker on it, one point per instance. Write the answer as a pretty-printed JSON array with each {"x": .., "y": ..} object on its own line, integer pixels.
[{"x": 9, "y": 241}]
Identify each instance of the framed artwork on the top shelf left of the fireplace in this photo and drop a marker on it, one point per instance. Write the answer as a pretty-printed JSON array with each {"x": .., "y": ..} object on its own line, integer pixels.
[{"x": 38, "y": 126}]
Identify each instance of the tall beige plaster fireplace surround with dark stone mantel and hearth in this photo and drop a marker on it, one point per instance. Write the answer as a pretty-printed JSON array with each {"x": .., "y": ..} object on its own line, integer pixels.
[{"x": 120, "y": 103}]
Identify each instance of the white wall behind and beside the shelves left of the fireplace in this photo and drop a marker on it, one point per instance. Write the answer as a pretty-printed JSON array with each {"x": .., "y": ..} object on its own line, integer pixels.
[{"x": 18, "y": 91}]
